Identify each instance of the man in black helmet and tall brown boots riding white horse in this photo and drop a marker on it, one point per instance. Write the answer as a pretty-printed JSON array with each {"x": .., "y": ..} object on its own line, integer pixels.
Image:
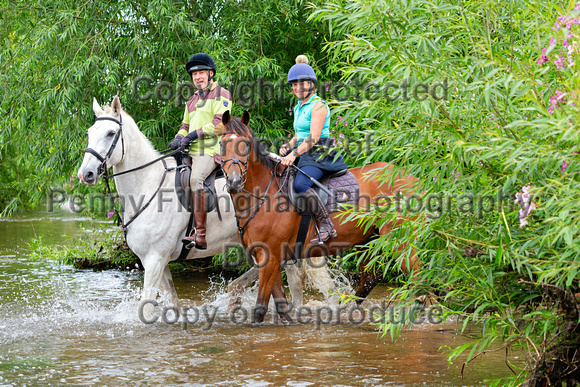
[{"x": 203, "y": 113}]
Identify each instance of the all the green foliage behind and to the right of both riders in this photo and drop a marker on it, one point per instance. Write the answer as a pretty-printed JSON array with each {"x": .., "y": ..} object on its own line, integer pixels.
[{"x": 490, "y": 120}]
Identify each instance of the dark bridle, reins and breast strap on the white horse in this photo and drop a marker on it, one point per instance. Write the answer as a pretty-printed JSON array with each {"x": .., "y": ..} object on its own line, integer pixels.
[{"x": 106, "y": 177}]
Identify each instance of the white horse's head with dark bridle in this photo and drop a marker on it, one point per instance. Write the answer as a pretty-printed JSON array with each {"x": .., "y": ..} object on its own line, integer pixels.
[{"x": 106, "y": 144}]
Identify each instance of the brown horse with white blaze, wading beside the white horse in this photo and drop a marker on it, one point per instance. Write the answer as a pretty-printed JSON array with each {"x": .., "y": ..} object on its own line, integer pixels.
[{"x": 253, "y": 182}]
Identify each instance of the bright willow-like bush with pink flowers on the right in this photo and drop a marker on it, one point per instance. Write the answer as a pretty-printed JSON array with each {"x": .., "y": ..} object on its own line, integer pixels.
[{"x": 493, "y": 134}]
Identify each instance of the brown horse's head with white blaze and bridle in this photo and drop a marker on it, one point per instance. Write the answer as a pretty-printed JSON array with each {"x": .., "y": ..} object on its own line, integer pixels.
[{"x": 236, "y": 145}]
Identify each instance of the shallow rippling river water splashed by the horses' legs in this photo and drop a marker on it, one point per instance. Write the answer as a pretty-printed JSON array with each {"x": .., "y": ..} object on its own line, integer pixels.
[{"x": 59, "y": 325}]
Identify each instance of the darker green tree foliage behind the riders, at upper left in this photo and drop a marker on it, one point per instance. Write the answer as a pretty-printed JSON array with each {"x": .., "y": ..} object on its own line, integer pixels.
[{"x": 56, "y": 56}]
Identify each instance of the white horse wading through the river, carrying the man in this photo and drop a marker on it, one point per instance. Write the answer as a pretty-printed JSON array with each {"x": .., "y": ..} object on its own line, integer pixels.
[{"x": 155, "y": 234}]
